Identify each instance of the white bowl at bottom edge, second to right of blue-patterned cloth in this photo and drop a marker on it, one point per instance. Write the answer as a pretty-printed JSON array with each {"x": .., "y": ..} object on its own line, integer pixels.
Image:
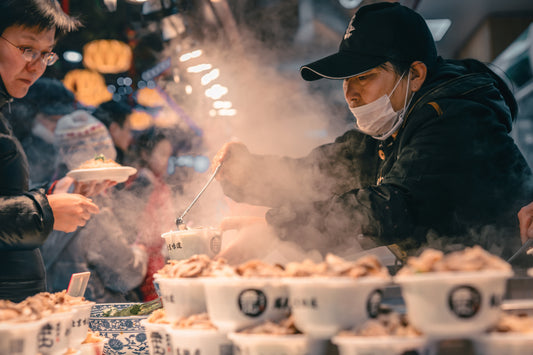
[{"x": 199, "y": 341}]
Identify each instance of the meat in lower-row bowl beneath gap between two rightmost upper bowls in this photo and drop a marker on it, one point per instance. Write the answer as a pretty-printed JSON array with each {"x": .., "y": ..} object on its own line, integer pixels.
[{"x": 386, "y": 324}]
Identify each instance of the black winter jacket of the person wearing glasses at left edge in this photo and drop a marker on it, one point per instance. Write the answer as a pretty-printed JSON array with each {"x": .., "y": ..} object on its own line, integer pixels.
[{"x": 26, "y": 219}]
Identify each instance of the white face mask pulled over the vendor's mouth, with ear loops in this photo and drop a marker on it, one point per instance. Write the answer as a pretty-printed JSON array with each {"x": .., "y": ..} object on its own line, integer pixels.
[{"x": 378, "y": 119}]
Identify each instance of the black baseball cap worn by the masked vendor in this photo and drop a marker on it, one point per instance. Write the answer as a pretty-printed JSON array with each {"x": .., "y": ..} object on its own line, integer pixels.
[{"x": 377, "y": 33}]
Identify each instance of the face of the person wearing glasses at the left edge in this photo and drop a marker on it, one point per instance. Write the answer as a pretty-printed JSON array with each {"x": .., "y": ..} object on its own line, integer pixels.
[{"x": 18, "y": 74}]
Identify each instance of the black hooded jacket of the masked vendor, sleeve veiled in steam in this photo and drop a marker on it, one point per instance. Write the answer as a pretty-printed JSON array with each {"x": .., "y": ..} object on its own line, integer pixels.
[{"x": 451, "y": 177}]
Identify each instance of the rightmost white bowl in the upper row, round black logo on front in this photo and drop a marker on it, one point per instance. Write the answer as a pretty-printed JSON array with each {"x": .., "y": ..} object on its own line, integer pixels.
[{"x": 453, "y": 304}]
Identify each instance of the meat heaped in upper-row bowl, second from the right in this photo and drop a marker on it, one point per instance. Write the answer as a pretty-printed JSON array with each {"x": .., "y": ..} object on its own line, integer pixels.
[{"x": 334, "y": 266}]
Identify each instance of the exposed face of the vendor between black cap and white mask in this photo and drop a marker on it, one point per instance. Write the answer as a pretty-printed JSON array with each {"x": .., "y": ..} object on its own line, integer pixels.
[{"x": 371, "y": 85}]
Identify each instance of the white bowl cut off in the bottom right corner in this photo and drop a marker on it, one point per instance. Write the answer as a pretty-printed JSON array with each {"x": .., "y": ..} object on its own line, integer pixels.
[{"x": 504, "y": 343}]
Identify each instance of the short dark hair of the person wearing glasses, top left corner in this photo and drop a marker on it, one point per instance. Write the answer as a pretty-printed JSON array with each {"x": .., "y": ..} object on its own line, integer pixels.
[{"x": 41, "y": 14}]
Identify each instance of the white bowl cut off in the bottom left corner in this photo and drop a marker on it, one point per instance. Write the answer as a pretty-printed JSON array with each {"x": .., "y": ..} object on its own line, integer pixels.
[{"x": 19, "y": 338}]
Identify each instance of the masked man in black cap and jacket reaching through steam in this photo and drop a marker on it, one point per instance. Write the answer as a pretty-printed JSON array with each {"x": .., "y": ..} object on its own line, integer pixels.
[{"x": 429, "y": 162}]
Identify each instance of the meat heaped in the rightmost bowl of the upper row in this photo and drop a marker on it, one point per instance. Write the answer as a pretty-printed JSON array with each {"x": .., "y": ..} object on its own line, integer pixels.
[{"x": 470, "y": 259}]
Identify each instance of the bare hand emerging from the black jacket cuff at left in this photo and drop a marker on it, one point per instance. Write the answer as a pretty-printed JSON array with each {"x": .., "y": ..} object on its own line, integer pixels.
[{"x": 71, "y": 211}]
